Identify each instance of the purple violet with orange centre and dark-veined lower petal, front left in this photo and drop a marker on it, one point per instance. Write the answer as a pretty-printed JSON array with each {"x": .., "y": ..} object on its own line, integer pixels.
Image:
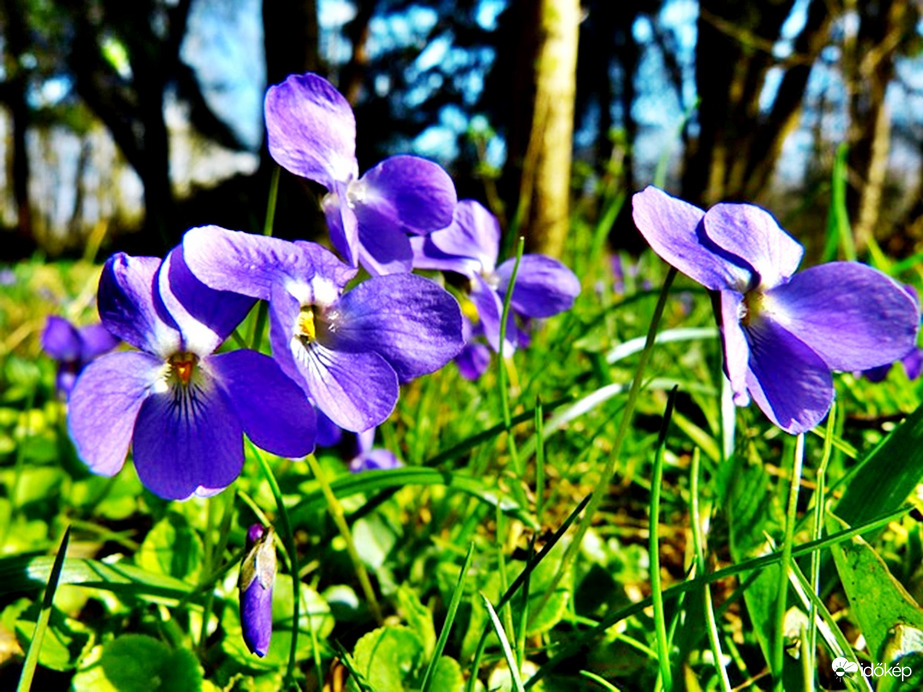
[{"x": 182, "y": 408}]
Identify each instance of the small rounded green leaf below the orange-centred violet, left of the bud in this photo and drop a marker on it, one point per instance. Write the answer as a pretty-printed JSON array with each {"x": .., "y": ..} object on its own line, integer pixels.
[{"x": 172, "y": 548}]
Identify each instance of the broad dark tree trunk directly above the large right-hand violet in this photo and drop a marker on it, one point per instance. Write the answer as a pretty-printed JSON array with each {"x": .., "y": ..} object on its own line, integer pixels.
[{"x": 739, "y": 143}]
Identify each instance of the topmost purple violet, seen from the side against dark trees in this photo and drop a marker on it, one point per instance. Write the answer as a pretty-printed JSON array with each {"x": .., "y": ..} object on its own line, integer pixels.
[{"x": 312, "y": 133}]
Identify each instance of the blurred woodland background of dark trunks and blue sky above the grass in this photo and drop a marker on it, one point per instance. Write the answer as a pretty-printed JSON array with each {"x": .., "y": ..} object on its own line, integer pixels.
[{"x": 124, "y": 123}]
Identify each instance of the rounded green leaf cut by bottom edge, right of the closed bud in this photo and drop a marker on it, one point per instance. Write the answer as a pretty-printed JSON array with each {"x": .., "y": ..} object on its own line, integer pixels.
[{"x": 388, "y": 658}]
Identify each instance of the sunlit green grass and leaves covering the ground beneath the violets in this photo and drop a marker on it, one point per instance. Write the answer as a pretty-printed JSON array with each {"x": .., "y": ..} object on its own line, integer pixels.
[{"x": 550, "y": 526}]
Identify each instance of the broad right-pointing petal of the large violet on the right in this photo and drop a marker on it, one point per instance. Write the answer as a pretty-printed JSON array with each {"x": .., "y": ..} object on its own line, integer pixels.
[{"x": 852, "y": 316}]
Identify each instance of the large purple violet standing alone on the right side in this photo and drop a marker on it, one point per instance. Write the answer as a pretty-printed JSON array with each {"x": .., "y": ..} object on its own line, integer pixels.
[{"x": 783, "y": 332}]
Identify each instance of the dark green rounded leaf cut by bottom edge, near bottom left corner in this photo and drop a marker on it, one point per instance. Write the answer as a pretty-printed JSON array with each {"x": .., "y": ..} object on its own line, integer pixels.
[{"x": 136, "y": 663}]
